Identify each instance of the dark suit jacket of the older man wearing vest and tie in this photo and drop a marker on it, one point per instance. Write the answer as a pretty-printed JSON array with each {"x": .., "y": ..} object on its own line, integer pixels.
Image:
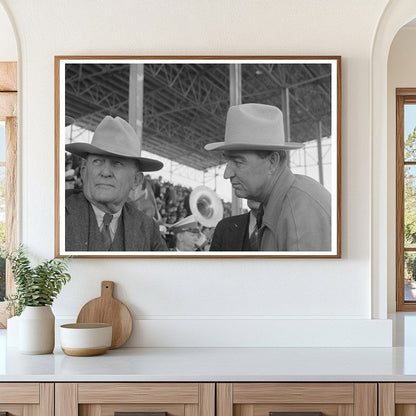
[{"x": 140, "y": 231}]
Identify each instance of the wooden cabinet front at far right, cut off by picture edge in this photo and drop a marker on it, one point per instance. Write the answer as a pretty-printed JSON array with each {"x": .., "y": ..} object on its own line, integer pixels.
[{"x": 397, "y": 399}]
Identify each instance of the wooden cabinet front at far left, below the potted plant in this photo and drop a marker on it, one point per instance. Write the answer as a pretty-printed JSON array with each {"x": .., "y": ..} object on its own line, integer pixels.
[{"x": 26, "y": 399}]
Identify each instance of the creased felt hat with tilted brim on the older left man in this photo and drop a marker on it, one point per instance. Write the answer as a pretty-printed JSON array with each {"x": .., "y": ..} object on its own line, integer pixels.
[{"x": 115, "y": 137}]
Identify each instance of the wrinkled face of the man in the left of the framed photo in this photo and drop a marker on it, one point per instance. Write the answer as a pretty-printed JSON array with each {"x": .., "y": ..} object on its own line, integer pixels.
[{"x": 107, "y": 181}]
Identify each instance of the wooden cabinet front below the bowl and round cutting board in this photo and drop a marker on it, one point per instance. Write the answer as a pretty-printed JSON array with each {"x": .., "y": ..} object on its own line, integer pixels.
[{"x": 143, "y": 399}]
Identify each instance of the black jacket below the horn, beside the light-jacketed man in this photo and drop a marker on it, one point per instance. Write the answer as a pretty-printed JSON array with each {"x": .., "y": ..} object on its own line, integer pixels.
[{"x": 231, "y": 234}]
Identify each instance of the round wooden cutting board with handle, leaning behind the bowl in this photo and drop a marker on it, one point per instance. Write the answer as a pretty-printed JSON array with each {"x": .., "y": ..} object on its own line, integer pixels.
[{"x": 108, "y": 310}]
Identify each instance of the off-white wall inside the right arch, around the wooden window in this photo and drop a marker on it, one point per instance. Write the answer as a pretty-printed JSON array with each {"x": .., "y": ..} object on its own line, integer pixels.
[{"x": 401, "y": 74}]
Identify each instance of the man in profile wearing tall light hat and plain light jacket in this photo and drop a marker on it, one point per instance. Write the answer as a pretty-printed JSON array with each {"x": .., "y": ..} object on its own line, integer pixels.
[{"x": 295, "y": 211}]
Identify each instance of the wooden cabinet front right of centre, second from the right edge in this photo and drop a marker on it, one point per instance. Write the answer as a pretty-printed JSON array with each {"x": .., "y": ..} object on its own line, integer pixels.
[{"x": 297, "y": 399}]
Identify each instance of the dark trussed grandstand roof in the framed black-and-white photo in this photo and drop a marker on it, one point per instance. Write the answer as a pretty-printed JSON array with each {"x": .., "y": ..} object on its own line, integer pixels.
[{"x": 185, "y": 105}]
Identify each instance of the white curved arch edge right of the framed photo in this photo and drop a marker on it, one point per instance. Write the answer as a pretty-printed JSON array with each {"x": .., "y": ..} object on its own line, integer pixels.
[{"x": 396, "y": 15}]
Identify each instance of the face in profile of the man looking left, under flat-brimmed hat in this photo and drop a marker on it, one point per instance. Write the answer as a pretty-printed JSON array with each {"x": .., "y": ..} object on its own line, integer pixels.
[{"x": 248, "y": 173}]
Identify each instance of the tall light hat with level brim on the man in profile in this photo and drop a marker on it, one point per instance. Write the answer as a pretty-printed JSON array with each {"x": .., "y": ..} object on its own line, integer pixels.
[{"x": 254, "y": 127}]
